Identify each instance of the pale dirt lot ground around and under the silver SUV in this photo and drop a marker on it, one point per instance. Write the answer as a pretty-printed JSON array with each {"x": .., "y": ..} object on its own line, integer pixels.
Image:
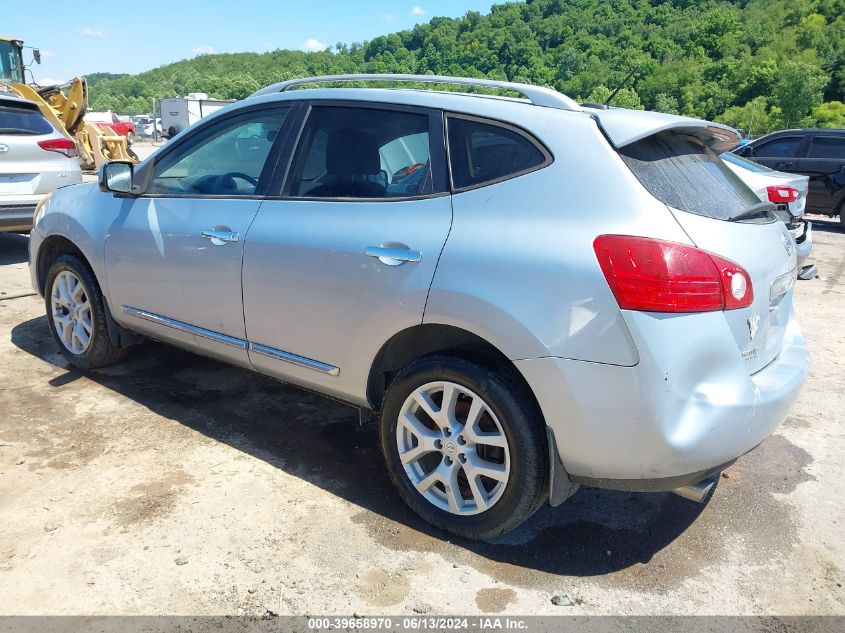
[{"x": 175, "y": 484}]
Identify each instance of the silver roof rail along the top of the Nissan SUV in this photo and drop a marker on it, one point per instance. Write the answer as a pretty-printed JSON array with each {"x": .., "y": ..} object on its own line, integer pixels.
[{"x": 537, "y": 95}]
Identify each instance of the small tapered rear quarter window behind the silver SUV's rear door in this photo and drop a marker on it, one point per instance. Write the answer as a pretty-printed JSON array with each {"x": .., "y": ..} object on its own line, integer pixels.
[{"x": 484, "y": 152}]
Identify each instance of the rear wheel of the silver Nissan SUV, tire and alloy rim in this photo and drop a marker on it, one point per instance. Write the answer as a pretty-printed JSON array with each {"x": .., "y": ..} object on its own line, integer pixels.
[{"x": 465, "y": 446}]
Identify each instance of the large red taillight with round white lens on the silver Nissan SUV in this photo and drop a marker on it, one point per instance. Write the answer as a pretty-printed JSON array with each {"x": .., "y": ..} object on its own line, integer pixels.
[{"x": 659, "y": 276}]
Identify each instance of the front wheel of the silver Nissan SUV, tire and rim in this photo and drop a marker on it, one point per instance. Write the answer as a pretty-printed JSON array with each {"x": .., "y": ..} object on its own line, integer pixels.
[{"x": 76, "y": 315}]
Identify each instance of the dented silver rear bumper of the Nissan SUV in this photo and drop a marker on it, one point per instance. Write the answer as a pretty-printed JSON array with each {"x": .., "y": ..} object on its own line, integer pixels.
[{"x": 685, "y": 411}]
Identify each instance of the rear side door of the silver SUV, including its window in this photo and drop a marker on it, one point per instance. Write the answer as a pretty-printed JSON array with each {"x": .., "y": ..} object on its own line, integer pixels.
[{"x": 345, "y": 256}]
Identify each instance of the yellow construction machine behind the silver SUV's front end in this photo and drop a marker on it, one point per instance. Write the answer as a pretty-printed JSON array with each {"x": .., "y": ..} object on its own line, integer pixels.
[{"x": 64, "y": 106}]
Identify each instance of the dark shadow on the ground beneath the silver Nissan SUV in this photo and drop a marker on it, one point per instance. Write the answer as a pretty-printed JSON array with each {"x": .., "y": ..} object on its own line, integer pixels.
[{"x": 320, "y": 441}]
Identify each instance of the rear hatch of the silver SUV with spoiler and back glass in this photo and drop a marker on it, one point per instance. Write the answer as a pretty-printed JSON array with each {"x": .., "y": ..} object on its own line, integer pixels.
[{"x": 679, "y": 164}]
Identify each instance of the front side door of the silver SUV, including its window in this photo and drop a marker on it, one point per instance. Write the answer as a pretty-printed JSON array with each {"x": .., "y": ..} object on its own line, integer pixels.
[{"x": 173, "y": 256}]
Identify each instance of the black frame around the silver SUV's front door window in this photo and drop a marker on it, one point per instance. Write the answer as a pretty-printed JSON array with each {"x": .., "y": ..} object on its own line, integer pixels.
[{"x": 145, "y": 169}]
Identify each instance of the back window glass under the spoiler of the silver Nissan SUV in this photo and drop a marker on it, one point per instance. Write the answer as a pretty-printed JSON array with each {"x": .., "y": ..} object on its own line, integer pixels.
[{"x": 681, "y": 172}]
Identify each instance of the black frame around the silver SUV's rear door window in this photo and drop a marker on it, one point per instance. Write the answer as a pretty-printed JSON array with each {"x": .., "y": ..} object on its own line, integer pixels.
[{"x": 436, "y": 146}]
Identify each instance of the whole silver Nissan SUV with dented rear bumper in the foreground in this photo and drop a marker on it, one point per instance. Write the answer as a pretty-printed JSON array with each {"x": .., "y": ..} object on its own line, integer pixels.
[{"x": 531, "y": 294}]
